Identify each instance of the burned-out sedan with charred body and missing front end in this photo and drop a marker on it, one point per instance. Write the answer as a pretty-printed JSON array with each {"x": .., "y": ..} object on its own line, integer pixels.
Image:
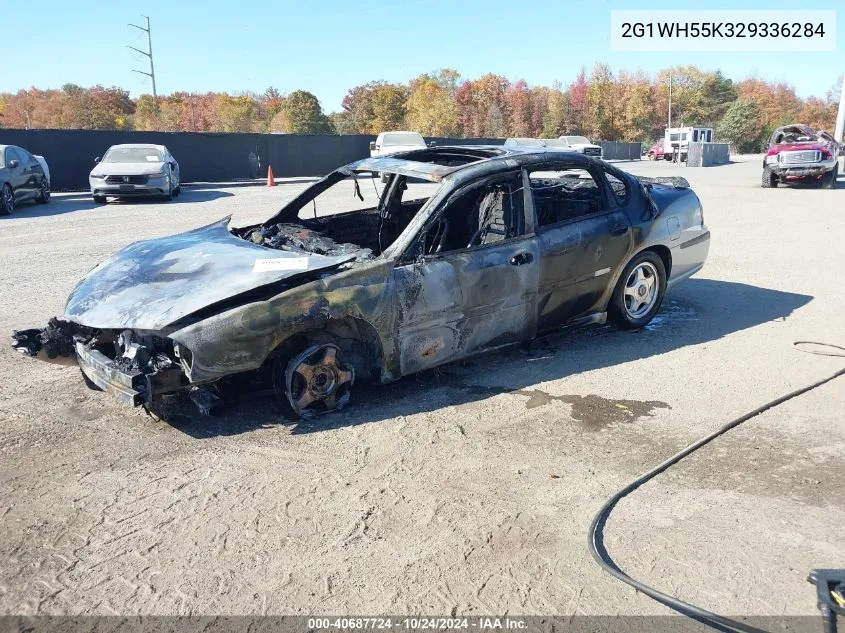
[{"x": 465, "y": 249}]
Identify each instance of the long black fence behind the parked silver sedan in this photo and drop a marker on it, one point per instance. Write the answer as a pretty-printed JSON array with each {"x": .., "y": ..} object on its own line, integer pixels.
[{"x": 202, "y": 156}]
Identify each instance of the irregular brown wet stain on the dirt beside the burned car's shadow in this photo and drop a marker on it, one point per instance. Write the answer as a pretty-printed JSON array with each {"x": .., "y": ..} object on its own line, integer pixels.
[{"x": 591, "y": 411}]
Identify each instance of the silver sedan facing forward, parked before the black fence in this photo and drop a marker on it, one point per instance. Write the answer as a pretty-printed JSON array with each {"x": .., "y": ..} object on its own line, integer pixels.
[{"x": 135, "y": 170}]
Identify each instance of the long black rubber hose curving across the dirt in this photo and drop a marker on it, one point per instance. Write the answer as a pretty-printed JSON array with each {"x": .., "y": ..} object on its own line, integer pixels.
[{"x": 596, "y": 544}]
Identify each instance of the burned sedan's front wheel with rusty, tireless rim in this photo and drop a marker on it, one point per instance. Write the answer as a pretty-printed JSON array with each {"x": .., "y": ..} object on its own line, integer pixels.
[{"x": 314, "y": 382}]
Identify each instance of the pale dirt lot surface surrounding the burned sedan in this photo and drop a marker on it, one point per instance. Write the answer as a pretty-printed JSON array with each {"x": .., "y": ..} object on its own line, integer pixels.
[{"x": 466, "y": 490}]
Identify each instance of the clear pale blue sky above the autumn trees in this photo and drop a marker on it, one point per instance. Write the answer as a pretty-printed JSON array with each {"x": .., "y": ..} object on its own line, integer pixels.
[{"x": 328, "y": 46}]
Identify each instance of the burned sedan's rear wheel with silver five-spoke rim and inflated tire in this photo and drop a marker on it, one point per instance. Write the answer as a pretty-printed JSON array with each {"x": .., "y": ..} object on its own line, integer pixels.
[{"x": 639, "y": 292}]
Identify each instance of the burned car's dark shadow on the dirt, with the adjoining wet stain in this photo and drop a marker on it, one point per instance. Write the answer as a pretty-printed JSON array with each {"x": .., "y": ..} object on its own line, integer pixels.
[{"x": 698, "y": 311}]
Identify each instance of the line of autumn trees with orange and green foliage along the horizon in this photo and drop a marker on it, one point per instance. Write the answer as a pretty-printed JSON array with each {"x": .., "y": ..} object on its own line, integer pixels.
[{"x": 600, "y": 104}]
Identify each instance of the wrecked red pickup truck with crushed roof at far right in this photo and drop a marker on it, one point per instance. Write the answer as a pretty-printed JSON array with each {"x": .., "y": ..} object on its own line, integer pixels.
[{"x": 798, "y": 152}]
